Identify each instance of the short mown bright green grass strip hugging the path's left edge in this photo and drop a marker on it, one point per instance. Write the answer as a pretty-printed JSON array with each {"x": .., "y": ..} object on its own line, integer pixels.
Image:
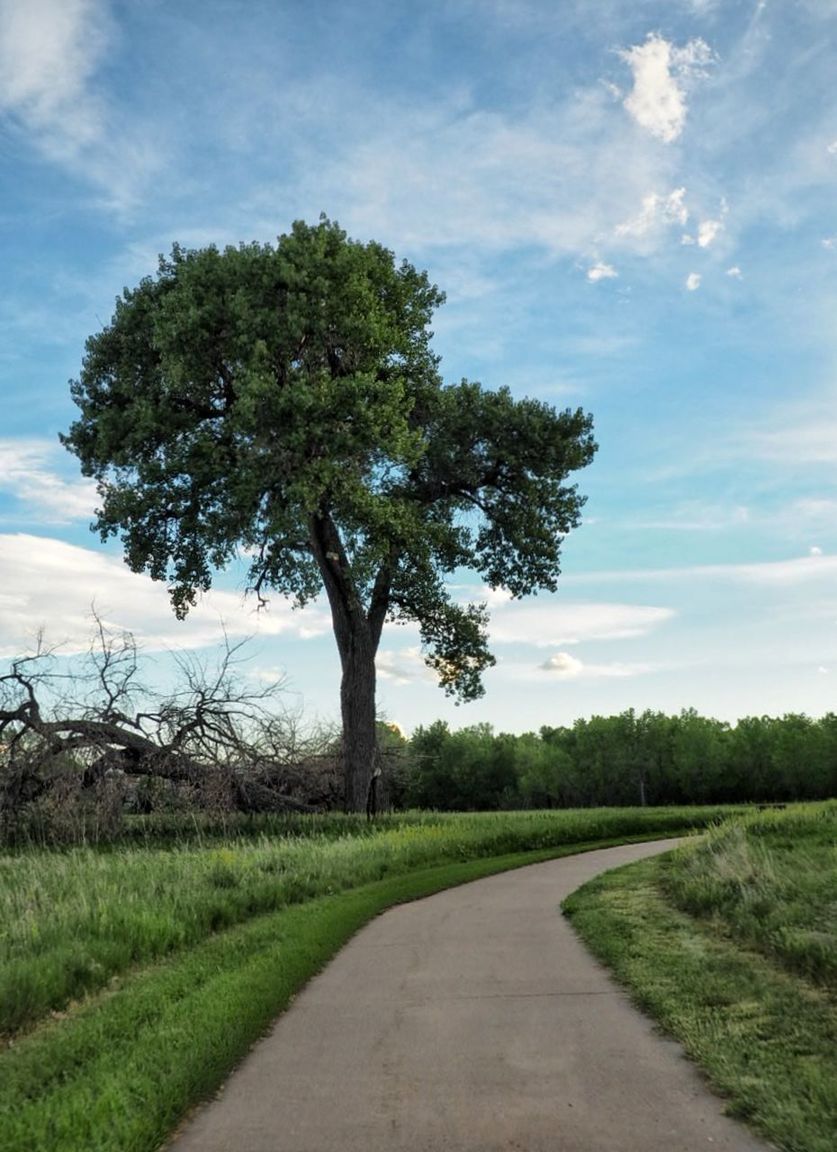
[{"x": 120, "y": 1070}]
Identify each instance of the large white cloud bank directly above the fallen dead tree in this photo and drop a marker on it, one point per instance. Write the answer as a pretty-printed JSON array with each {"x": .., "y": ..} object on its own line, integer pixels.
[{"x": 48, "y": 583}]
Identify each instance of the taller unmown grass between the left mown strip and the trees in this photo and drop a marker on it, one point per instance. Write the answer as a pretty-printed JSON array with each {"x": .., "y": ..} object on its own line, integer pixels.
[{"x": 71, "y": 921}]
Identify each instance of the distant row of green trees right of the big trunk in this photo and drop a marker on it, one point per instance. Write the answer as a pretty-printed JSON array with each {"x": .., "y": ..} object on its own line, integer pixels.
[{"x": 631, "y": 759}]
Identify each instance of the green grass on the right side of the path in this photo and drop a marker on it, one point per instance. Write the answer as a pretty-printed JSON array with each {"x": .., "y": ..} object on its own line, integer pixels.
[{"x": 731, "y": 945}]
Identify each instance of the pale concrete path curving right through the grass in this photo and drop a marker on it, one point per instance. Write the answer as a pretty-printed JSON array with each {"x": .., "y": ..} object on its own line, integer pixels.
[{"x": 473, "y": 1020}]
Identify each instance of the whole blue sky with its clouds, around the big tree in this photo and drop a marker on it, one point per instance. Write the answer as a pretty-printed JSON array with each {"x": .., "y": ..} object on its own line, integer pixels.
[{"x": 631, "y": 207}]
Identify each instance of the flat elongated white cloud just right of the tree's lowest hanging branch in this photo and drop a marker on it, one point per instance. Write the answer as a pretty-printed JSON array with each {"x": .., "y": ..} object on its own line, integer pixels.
[{"x": 549, "y": 625}]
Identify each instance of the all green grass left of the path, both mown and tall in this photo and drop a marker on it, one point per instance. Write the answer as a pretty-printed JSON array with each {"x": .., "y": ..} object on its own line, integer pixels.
[{"x": 133, "y": 980}]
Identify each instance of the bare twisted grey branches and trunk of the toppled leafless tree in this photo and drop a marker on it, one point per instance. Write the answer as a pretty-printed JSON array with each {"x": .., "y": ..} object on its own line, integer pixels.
[{"x": 101, "y": 721}]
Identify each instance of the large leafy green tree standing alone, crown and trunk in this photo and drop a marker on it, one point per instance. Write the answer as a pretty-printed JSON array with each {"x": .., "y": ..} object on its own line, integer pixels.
[{"x": 284, "y": 404}]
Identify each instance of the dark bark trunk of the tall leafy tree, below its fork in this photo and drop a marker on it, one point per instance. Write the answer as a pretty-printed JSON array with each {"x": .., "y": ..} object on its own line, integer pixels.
[{"x": 357, "y": 702}]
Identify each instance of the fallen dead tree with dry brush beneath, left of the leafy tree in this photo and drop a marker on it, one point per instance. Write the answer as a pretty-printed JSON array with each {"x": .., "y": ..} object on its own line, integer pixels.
[{"x": 80, "y": 746}]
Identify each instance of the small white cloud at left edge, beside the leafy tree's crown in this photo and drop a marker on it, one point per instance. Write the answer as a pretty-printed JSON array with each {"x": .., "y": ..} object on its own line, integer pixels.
[{"x": 26, "y": 474}]
